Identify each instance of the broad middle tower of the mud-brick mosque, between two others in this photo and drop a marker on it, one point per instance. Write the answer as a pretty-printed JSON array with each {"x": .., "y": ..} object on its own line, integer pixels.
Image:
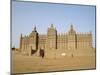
[{"x": 52, "y": 38}]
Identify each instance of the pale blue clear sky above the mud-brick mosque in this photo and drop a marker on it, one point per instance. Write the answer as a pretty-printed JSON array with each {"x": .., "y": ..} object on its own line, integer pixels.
[{"x": 26, "y": 15}]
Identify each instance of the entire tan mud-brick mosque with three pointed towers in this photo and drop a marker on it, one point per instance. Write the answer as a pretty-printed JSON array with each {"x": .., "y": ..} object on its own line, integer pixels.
[{"x": 56, "y": 45}]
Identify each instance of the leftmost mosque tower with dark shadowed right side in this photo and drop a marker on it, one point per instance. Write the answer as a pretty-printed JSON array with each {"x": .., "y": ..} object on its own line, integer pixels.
[{"x": 33, "y": 41}]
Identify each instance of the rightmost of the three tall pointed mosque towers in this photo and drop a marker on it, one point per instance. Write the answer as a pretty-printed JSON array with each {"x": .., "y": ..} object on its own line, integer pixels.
[{"x": 72, "y": 38}]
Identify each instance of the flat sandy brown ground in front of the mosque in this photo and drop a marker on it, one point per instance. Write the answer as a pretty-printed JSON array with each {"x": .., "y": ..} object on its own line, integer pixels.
[{"x": 28, "y": 64}]
